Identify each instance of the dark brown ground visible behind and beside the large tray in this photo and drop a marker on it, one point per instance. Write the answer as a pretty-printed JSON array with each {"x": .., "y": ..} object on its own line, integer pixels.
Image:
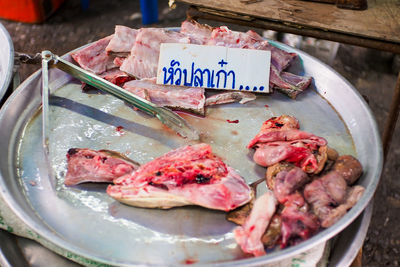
[{"x": 372, "y": 72}]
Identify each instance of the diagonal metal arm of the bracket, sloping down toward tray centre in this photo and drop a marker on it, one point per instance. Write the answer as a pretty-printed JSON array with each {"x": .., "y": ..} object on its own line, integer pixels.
[{"x": 166, "y": 116}]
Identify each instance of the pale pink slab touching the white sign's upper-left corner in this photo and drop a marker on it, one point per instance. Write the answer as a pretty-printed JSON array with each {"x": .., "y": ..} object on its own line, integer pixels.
[{"x": 143, "y": 60}]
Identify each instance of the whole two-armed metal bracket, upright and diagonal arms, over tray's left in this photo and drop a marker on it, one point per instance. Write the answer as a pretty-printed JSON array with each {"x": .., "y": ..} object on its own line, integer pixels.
[{"x": 166, "y": 116}]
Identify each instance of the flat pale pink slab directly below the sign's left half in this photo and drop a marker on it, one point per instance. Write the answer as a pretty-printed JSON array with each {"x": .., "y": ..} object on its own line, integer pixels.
[{"x": 189, "y": 99}]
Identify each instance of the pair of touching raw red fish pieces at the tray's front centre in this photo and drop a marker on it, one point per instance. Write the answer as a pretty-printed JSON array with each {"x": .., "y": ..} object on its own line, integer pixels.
[{"x": 190, "y": 175}]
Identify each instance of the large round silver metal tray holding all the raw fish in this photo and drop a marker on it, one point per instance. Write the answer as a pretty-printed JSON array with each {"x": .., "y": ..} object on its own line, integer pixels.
[{"x": 85, "y": 221}]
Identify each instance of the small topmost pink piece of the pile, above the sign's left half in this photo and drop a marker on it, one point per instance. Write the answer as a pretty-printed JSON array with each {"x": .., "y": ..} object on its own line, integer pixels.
[{"x": 198, "y": 33}]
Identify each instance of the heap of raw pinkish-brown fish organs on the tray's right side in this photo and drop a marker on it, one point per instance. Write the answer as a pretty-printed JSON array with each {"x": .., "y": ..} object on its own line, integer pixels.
[{"x": 311, "y": 188}]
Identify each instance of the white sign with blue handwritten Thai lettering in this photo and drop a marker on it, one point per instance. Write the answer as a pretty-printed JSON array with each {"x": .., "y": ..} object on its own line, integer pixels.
[{"x": 214, "y": 67}]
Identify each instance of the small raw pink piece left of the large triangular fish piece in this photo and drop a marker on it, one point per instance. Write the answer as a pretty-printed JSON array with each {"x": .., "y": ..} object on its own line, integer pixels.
[{"x": 86, "y": 165}]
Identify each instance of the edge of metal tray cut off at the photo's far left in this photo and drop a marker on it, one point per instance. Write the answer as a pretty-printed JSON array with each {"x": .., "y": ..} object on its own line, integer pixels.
[{"x": 6, "y": 60}]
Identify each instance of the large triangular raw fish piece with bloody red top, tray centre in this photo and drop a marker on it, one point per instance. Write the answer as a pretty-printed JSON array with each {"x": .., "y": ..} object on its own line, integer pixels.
[{"x": 190, "y": 175}]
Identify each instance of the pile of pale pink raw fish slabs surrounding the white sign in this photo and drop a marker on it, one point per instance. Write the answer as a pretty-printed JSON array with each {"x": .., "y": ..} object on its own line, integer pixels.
[{"x": 129, "y": 58}]
